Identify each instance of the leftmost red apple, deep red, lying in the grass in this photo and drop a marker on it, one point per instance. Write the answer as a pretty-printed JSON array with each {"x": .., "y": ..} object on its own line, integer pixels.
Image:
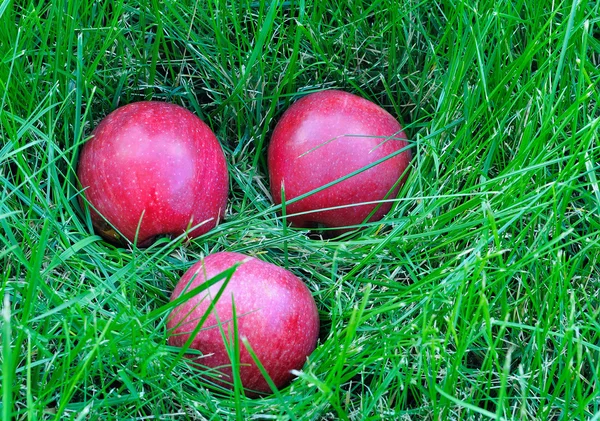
[{"x": 159, "y": 160}]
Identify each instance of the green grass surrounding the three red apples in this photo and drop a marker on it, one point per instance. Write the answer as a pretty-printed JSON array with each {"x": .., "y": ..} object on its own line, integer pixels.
[{"x": 477, "y": 297}]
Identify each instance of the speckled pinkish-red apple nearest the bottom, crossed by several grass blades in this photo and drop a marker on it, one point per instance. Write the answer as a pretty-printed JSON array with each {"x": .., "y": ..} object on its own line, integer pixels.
[{"x": 275, "y": 312}]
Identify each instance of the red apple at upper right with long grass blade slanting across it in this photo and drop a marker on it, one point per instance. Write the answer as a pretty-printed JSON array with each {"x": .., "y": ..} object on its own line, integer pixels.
[{"x": 325, "y": 136}]
